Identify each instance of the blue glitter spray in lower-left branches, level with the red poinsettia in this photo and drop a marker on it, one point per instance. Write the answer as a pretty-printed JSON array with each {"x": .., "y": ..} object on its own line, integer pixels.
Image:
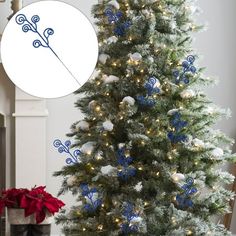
[{"x": 89, "y": 194}]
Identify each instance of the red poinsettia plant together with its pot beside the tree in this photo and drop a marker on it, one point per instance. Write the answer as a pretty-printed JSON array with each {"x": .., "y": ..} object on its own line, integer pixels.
[{"x": 29, "y": 211}]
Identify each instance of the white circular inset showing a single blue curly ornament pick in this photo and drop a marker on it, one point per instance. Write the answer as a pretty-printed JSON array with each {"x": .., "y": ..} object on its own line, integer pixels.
[{"x": 49, "y": 49}]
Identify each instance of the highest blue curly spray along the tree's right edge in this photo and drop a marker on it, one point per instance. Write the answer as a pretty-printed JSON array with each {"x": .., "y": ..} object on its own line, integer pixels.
[{"x": 187, "y": 66}]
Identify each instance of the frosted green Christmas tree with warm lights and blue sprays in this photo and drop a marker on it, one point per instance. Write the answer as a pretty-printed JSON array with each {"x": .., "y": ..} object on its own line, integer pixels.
[{"x": 149, "y": 159}]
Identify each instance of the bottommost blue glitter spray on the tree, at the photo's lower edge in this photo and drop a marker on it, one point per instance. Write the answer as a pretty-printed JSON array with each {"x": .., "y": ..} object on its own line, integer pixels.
[{"x": 129, "y": 214}]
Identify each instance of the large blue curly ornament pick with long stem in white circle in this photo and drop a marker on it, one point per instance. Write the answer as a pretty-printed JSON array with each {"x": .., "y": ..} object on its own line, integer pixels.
[{"x": 43, "y": 39}]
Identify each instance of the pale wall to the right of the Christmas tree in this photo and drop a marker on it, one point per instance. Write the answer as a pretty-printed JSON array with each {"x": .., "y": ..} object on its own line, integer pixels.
[{"x": 218, "y": 50}]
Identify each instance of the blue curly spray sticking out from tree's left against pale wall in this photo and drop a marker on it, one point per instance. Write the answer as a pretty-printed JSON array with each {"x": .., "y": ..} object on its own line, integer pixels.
[{"x": 73, "y": 159}]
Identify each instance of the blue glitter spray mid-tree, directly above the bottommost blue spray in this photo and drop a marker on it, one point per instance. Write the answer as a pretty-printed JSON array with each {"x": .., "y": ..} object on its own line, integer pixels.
[{"x": 124, "y": 161}]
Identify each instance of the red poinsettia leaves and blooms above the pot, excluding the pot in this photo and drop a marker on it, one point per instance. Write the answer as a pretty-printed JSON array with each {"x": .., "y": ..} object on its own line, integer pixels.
[{"x": 35, "y": 201}]
